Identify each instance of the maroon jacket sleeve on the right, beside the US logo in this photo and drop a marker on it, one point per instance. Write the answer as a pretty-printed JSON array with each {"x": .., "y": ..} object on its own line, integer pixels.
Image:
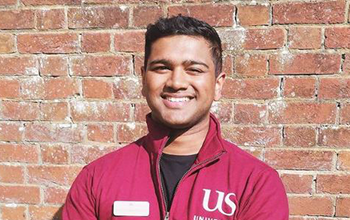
[{"x": 268, "y": 199}]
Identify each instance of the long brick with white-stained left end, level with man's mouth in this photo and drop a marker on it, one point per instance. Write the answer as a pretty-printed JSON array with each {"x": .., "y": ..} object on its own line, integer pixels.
[{"x": 281, "y": 112}]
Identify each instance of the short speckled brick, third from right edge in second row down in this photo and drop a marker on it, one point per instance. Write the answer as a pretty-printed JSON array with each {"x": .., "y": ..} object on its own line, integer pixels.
[{"x": 264, "y": 38}]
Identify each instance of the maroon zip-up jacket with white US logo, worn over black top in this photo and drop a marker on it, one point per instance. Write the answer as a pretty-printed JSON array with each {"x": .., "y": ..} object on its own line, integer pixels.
[{"x": 224, "y": 183}]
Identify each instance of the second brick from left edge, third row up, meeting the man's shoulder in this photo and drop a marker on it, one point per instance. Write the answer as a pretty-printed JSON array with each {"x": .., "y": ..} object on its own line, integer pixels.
[{"x": 52, "y": 175}]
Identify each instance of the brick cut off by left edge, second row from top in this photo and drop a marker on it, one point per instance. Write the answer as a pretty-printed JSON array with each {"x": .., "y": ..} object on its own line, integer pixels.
[{"x": 16, "y": 19}]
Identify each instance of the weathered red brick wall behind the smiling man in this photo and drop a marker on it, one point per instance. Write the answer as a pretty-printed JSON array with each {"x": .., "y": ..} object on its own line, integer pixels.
[{"x": 70, "y": 92}]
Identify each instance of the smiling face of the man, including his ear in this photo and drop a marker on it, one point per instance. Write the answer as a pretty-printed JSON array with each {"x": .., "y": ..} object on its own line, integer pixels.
[{"x": 179, "y": 82}]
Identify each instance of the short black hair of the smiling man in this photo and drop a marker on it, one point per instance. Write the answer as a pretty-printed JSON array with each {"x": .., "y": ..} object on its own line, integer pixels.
[{"x": 184, "y": 25}]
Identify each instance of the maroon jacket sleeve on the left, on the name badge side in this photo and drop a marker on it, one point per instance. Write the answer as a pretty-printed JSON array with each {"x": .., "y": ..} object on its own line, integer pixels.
[{"x": 80, "y": 201}]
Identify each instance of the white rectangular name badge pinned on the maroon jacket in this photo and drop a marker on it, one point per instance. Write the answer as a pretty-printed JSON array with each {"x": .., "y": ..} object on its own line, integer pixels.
[{"x": 131, "y": 208}]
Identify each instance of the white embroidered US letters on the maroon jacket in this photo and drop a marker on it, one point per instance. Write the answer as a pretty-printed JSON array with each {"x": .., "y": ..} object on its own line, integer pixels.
[{"x": 221, "y": 198}]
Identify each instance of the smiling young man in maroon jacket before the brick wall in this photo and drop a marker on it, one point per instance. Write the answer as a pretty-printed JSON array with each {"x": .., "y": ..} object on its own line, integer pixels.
[{"x": 182, "y": 169}]
